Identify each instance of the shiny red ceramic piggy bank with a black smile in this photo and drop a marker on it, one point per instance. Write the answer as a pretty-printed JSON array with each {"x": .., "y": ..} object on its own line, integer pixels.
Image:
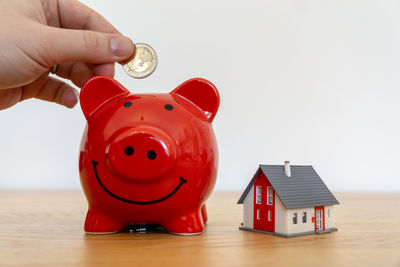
[{"x": 148, "y": 158}]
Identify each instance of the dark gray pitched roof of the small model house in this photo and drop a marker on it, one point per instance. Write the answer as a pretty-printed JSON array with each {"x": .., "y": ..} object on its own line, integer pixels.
[{"x": 303, "y": 189}]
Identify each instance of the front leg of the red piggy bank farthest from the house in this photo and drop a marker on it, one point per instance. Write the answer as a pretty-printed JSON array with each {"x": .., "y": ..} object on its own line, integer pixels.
[{"x": 98, "y": 223}]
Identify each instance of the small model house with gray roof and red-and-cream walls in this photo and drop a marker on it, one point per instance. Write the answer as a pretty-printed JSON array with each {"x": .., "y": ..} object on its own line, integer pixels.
[{"x": 287, "y": 201}]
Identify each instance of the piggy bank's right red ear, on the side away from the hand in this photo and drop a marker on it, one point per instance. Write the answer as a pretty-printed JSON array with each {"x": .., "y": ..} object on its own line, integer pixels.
[{"x": 201, "y": 93}]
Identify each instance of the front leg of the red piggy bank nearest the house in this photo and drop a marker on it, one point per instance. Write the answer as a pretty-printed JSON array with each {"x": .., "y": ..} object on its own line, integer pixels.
[{"x": 187, "y": 224}]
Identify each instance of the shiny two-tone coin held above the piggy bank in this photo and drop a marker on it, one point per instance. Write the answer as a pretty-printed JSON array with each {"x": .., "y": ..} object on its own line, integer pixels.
[{"x": 143, "y": 64}]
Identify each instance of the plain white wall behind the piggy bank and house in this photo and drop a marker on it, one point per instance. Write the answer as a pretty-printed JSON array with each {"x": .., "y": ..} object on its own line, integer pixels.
[{"x": 314, "y": 82}]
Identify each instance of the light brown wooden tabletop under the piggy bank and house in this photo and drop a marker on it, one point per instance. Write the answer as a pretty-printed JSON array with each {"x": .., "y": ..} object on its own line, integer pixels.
[{"x": 45, "y": 228}]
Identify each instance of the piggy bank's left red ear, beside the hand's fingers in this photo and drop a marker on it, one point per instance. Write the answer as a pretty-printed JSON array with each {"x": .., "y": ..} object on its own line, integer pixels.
[{"x": 97, "y": 91}]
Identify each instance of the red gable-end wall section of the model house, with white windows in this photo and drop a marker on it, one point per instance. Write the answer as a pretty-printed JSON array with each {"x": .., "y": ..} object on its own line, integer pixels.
[{"x": 262, "y": 223}]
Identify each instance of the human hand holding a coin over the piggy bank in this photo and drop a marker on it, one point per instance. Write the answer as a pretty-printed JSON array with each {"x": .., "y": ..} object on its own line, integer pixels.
[{"x": 37, "y": 34}]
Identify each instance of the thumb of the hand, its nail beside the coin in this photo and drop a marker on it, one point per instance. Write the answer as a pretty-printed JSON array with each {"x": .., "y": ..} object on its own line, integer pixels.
[{"x": 65, "y": 45}]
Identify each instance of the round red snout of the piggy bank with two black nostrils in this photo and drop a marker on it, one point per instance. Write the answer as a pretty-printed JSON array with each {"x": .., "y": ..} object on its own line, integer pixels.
[{"x": 140, "y": 154}]
